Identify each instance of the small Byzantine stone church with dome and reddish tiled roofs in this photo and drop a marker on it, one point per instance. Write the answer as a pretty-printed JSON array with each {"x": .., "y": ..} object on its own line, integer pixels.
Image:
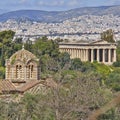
[{"x": 23, "y": 74}]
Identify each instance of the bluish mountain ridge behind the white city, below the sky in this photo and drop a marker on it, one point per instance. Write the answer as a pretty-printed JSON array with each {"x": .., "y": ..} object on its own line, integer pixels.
[{"x": 55, "y": 16}]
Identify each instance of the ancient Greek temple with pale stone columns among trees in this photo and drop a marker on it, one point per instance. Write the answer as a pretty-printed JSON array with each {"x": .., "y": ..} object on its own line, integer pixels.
[{"x": 100, "y": 51}]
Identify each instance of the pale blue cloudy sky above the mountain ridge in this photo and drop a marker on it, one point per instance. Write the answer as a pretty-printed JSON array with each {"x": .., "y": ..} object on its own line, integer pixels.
[{"x": 53, "y": 5}]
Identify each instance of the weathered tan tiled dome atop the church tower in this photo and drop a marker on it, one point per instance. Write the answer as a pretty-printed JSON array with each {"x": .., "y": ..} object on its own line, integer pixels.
[{"x": 23, "y": 56}]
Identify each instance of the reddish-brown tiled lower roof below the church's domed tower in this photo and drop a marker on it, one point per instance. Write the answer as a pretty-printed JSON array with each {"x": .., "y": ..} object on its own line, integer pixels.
[{"x": 7, "y": 86}]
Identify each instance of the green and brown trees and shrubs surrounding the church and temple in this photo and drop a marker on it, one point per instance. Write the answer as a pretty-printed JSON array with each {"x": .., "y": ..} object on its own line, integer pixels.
[{"x": 82, "y": 87}]
